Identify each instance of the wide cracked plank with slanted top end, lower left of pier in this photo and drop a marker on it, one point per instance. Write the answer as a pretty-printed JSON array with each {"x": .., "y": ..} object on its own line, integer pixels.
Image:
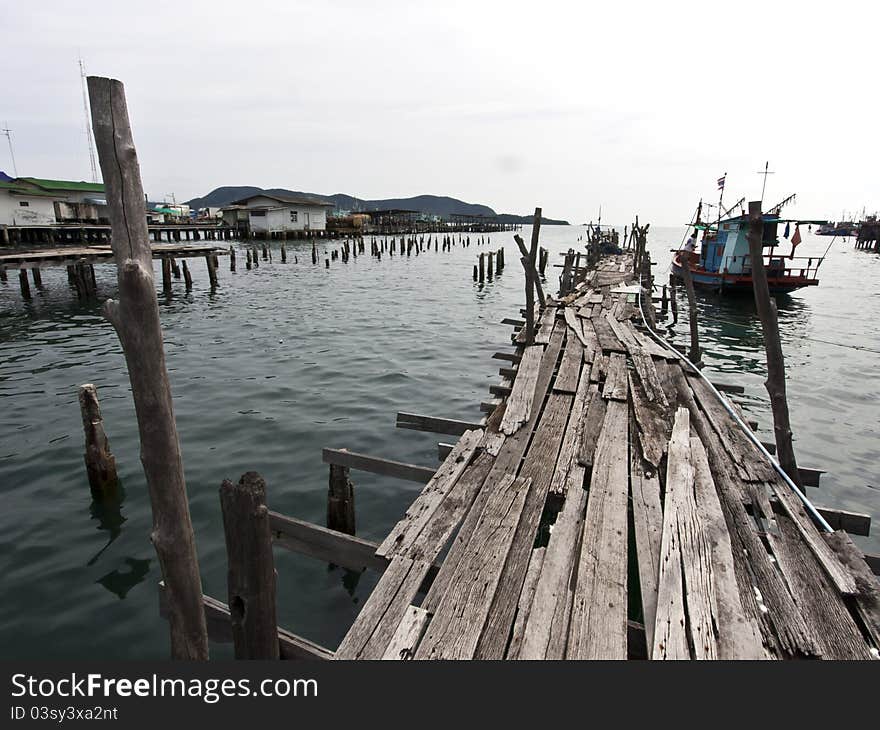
[{"x": 457, "y": 625}]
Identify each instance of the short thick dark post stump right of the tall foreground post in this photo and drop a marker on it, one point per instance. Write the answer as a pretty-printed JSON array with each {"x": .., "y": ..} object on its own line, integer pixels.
[{"x": 251, "y": 573}]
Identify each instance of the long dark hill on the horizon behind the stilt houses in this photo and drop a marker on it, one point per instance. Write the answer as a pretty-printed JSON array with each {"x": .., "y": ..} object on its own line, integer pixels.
[{"x": 430, "y": 204}]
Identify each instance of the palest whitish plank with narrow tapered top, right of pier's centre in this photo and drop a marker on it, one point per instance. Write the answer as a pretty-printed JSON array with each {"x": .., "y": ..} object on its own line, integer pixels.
[{"x": 670, "y": 627}]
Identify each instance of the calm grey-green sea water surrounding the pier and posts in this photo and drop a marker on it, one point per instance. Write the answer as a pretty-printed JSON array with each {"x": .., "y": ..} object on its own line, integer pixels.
[{"x": 286, "y": 359}]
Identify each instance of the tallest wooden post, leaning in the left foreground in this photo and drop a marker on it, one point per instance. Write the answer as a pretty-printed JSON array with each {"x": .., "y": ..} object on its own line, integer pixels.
[{"x": 135, "y": 318}]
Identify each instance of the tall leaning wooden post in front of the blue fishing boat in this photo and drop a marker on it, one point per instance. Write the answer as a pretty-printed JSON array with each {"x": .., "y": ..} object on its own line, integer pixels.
[{"x": 775, "y": 382}]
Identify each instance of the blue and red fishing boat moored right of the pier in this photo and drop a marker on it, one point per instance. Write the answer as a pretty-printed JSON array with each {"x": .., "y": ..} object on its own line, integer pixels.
[{"x": 723, "y": 264}]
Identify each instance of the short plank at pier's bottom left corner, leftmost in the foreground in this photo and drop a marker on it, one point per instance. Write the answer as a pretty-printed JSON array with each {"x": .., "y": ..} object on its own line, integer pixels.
[{"x": 373, "y": 629}]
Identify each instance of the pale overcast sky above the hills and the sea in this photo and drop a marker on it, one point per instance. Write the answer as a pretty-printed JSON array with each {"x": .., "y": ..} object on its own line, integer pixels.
[{"x": 637, "y": 107}]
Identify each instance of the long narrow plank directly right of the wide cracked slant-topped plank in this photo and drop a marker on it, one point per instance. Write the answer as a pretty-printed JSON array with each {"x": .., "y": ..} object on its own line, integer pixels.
[{"x": 538, "y": 466}]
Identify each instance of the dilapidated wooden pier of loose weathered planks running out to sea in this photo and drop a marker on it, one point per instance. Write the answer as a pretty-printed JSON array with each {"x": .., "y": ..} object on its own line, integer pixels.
[{"x": 609, "y": 507}]
